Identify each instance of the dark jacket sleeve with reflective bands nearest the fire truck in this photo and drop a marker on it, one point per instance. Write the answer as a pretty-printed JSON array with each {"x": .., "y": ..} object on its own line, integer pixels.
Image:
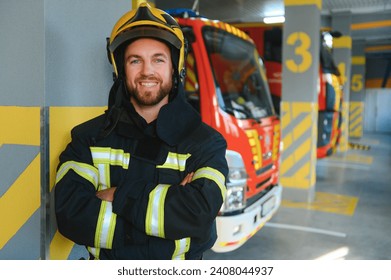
[{"x": 174, "y": 211}]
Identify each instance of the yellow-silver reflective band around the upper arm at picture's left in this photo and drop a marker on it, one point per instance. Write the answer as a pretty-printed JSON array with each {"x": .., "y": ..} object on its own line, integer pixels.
[{"x": 84, "y": 170}]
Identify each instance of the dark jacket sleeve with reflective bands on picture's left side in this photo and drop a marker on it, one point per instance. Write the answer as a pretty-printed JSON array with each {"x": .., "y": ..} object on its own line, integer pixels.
[{"x": 81, "y": 216}]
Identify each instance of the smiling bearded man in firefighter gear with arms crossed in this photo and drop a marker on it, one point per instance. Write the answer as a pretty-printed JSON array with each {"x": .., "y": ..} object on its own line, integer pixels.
[{"x": 146, "y": 179}]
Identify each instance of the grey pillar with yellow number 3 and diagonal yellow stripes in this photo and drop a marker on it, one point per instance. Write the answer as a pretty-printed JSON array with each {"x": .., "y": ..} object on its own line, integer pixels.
[{"x": 299, "y": 105}]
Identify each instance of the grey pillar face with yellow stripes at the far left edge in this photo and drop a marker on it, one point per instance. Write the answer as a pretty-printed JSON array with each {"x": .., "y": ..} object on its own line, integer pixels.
[{"x": 21, "y": 98}]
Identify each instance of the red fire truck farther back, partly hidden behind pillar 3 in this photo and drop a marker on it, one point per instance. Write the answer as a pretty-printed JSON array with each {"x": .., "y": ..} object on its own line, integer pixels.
[{"x": 268, "y": 40}]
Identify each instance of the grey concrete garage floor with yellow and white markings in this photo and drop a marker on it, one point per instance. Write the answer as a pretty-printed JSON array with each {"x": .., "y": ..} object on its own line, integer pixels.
[{"x": 349, "y": 219}]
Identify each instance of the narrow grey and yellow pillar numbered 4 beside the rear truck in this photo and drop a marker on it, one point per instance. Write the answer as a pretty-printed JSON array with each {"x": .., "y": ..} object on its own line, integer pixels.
[{"x": 342, "y": 48}]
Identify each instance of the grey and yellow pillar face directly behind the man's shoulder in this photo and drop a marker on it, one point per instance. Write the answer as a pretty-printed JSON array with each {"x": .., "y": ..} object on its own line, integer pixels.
[{"x": 78, "y": 80}]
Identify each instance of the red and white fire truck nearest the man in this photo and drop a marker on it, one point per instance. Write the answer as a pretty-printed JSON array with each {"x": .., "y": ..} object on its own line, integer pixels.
[{"x": 226, "y": 83}]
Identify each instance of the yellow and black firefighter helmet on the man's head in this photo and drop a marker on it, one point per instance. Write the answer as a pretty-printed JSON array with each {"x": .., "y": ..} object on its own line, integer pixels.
[{"x": 146, "y": 22}]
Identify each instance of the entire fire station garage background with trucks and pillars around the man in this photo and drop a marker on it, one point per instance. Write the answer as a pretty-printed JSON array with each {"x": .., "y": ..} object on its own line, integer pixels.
[{"x": 300, "y": 89}]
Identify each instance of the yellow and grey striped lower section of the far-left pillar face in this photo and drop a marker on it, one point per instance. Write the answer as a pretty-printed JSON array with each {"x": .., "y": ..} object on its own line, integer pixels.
[{"x": 21, "y": 186}]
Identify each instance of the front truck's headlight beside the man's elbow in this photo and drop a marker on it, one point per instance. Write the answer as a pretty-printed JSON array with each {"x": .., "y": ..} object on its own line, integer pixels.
[{"x": 236, "y": 183}]
